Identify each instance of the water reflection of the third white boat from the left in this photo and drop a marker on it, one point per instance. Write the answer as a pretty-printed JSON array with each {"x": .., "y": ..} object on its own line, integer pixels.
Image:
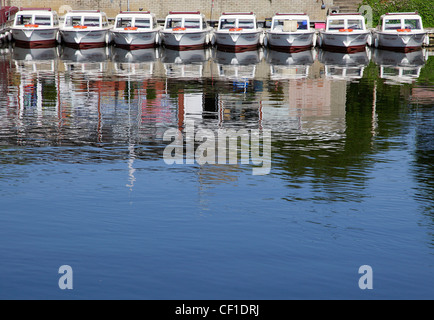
[{"x": 134, "y": 63}]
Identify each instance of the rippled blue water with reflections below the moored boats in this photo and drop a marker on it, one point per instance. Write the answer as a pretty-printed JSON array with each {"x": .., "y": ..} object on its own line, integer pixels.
[{"x": 84, "y": 183}]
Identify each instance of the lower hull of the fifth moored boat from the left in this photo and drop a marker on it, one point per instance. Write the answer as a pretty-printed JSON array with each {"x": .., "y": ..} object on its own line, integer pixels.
[{"x": 237, "y": 41}]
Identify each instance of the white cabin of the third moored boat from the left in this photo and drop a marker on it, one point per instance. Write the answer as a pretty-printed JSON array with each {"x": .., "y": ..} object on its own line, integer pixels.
[{"x": 136, "y": 20}]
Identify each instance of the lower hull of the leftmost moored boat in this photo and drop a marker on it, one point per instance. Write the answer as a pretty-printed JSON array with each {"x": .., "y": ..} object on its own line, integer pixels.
[{"x": 35, "y": 37}]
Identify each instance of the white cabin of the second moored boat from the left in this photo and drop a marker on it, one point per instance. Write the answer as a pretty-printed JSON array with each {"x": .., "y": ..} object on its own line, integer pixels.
[{"x": 86, "y": 19}]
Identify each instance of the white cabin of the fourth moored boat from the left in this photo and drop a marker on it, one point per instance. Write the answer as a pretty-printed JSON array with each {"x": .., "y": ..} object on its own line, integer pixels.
[{"x": 182, "y": 21}]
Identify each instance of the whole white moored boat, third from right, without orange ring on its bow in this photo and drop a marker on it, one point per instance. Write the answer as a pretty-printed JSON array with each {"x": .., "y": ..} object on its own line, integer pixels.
[{"x": 290, "y": 32}]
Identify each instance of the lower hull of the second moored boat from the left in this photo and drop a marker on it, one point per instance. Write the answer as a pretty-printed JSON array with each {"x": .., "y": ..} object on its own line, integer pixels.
[{"x": 85, "y": 38}]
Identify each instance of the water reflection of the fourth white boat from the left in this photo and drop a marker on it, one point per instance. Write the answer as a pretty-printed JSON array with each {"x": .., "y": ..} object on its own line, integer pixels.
[{"x": 185, "y": 63}]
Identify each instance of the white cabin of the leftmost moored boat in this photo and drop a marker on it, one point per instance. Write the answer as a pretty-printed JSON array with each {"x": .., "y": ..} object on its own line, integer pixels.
[{"x": 36, "y": 17}]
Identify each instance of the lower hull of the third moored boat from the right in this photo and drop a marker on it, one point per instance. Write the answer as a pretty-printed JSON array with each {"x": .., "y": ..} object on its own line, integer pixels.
[{"x": 290, "y": 41}]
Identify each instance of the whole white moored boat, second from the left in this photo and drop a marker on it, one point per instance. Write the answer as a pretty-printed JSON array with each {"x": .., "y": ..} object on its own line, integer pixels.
[{"x": 85, "y": 29}]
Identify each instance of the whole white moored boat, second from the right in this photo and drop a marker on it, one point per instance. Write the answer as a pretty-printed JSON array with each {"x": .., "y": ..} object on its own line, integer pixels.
[{"x": 344, "y": 32}]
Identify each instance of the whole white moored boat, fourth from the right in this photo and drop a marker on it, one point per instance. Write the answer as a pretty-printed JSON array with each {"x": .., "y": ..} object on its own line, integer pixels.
[{"x": 238, "y": 32}]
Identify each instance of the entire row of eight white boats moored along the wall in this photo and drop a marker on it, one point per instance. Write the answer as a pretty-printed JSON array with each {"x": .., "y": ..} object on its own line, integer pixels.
[{"x": 235, "y": 31}]
